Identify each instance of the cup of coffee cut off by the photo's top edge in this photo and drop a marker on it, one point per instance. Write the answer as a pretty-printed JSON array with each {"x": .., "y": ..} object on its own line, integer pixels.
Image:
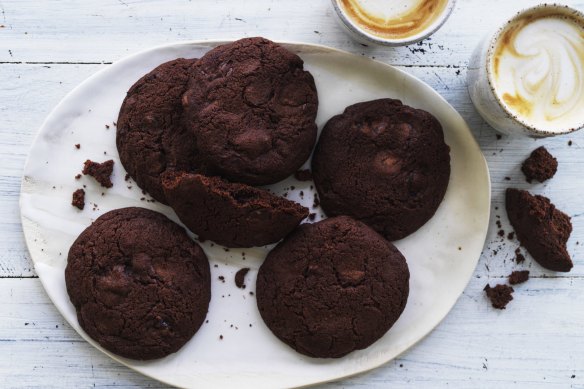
[{"x": 392, "y": 22}]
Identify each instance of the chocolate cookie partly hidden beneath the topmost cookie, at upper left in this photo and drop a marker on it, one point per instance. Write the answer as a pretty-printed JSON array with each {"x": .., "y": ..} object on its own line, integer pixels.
[{"x": 151, "y": 135}]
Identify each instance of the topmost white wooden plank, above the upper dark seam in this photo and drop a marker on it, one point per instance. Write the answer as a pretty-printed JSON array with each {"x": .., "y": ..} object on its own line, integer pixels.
[{"x": 98, "y": 31}]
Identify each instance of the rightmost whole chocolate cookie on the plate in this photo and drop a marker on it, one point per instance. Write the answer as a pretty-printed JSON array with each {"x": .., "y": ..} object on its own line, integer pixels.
[{"x": 383, "y": 163}]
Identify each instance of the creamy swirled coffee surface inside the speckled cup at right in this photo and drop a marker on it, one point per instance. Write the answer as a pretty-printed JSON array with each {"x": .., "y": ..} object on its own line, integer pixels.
[{"x": 537, "y": 70}]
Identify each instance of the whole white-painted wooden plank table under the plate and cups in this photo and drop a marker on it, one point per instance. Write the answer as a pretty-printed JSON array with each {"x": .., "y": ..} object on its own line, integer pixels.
[{"x": 49, "y": 46}]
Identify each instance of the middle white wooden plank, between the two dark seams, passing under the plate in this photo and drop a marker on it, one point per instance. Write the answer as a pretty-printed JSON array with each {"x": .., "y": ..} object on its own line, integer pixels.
[{"x": 25, "y": 83}]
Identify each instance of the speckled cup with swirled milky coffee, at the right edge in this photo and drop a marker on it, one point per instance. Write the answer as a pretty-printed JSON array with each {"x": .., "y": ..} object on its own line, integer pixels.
[{"x": 528, "y": 77}]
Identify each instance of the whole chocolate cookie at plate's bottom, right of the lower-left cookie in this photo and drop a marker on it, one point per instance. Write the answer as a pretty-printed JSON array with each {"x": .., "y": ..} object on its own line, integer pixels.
[{"x": 332, "y": 287}]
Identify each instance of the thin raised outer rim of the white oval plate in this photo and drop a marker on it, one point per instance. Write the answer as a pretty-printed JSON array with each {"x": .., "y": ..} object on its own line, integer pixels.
[{"x": 211, "y": 43}]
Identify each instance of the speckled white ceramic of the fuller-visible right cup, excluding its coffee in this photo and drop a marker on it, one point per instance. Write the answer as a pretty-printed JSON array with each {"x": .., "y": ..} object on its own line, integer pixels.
[{"x": 482, "y": 86}]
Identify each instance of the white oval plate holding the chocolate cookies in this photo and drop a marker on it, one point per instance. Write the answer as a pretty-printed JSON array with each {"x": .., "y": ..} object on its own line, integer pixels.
[{"x": 441, "y": 255}]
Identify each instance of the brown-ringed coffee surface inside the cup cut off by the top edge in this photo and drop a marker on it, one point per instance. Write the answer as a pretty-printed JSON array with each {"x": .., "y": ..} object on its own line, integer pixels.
[{"x": 394, "y": 19}]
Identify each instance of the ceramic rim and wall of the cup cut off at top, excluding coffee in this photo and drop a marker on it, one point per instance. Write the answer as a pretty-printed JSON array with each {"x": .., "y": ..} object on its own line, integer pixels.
[{"x": 364, "y": 35}]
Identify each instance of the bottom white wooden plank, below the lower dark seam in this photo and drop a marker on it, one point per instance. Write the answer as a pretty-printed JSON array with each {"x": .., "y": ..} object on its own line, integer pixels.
[{"x": 537, "y": 341}]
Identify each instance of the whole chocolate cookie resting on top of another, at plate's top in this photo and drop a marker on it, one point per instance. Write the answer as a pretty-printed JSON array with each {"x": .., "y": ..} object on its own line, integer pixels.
[{"x": 252, "y": 108}]
